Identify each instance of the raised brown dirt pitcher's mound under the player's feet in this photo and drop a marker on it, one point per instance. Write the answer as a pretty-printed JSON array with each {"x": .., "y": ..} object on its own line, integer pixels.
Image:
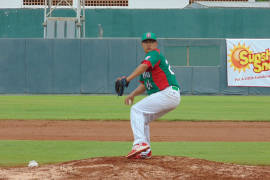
[{"x": 159, "y": 167}]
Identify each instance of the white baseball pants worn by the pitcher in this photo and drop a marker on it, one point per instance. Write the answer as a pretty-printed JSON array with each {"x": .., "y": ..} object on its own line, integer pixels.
[{"x": 150, "y": 108}]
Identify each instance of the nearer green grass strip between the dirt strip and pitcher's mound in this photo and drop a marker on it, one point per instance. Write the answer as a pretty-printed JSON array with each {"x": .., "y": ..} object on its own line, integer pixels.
[{"x": 17, "y": 152}]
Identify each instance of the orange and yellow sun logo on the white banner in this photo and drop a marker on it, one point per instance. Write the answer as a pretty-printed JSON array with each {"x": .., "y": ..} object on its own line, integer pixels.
[{"x": 235, "y": 57}]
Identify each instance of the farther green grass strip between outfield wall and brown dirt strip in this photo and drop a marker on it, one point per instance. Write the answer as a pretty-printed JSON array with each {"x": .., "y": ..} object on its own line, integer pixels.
[{"x": 196, "y": 108}]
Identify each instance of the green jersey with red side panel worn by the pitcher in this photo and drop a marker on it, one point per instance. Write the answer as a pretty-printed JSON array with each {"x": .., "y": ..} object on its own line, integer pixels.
[{"x": 159, "y": 75}]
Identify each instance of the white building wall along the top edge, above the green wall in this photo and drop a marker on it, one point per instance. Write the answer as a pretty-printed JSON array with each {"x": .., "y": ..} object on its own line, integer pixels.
[{"x": 132, "y": 4}]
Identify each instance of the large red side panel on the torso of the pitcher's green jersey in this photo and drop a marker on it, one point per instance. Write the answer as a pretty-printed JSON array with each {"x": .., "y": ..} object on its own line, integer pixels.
[{"x": 159, "y": 77}]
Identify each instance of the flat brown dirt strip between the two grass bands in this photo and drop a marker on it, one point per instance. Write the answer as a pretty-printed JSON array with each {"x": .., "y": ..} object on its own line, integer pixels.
[{"x": 121, "y": 131}]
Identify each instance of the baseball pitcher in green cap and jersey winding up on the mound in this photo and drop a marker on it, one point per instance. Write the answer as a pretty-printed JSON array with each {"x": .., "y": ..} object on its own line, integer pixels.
[{"x": 158, "y": 80}]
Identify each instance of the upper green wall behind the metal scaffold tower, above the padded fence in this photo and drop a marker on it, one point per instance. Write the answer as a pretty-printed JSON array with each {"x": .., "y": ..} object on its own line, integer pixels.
[{"x": 167, "y": 23}]
